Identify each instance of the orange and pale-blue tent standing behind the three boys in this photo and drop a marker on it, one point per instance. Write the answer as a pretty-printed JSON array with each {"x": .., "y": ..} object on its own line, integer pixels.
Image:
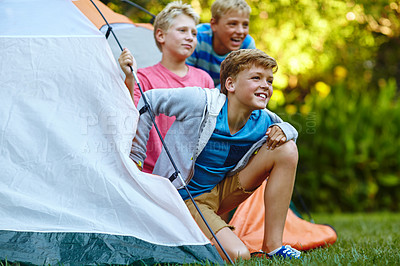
[{"x": 248, "y": 218}]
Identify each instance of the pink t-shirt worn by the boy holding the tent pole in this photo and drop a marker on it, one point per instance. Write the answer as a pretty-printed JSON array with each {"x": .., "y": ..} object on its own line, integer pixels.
[{"x": 159, "y": 77}]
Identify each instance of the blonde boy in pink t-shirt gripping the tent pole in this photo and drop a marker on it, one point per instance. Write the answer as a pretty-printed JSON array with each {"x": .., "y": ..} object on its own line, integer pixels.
[{"x": 175, "y": 35}]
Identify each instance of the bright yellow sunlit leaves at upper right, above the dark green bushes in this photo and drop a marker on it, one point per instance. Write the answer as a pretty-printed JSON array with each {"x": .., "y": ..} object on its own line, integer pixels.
[{"x": 309, "y": 38}]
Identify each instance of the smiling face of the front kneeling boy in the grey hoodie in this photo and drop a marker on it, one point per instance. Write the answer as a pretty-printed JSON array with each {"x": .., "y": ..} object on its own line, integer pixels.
[{"x": 252, "y": 88}]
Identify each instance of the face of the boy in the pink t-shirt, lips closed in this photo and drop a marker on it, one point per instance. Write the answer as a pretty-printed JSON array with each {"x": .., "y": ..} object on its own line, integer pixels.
[{"x": 180, "y": 38}]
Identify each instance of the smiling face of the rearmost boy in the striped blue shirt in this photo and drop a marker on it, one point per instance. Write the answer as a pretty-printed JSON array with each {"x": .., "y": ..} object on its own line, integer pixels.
[{"x": 229, "y": 31}]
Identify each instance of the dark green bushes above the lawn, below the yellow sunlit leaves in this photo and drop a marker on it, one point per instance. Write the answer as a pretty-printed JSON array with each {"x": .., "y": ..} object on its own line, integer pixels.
[{"x": 349, "y": 150}]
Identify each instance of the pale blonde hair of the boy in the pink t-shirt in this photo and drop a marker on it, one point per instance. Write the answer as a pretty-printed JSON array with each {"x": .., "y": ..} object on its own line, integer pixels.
[{"x": 164, "y": 19}]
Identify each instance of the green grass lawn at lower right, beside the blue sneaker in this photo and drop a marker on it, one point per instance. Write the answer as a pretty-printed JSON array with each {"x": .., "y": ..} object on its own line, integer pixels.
[{"x": 363, "y": 239}]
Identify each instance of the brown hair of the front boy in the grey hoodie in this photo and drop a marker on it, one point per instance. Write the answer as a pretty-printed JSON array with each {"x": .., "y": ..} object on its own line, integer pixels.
[{"x": 244, "y": 59}]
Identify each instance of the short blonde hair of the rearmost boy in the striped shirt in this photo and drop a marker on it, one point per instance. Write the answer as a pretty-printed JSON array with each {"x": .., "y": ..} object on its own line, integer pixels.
[{"x": 221, "y": 7}]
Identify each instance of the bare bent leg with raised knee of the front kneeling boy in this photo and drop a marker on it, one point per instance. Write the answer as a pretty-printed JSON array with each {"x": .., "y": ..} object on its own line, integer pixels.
[{"x": 280, "y": 165}]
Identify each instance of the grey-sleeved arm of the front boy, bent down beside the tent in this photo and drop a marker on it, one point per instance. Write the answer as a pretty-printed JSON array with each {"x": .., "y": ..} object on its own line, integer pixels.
[{"x": 183, "y": 103}]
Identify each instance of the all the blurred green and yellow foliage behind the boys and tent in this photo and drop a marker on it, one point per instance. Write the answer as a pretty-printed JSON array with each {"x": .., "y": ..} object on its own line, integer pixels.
[{"x": 338, "y": 83}]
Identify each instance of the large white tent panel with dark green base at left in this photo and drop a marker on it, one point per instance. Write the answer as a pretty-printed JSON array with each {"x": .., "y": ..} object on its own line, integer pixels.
[{"x": 69, "y": 193}]
